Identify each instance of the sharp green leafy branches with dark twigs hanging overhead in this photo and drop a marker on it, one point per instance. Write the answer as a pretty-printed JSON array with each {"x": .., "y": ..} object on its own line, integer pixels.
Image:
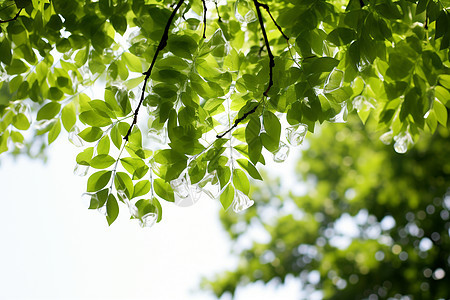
[{"x": 171, "y": 100}]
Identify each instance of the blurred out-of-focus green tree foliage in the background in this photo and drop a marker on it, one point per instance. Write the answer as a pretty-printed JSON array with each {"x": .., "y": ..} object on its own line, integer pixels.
[{"x": 369, "y": 222}]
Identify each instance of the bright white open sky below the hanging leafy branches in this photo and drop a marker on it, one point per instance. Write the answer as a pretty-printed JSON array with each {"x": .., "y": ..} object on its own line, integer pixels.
[{"x": 53, "y": 248}]
